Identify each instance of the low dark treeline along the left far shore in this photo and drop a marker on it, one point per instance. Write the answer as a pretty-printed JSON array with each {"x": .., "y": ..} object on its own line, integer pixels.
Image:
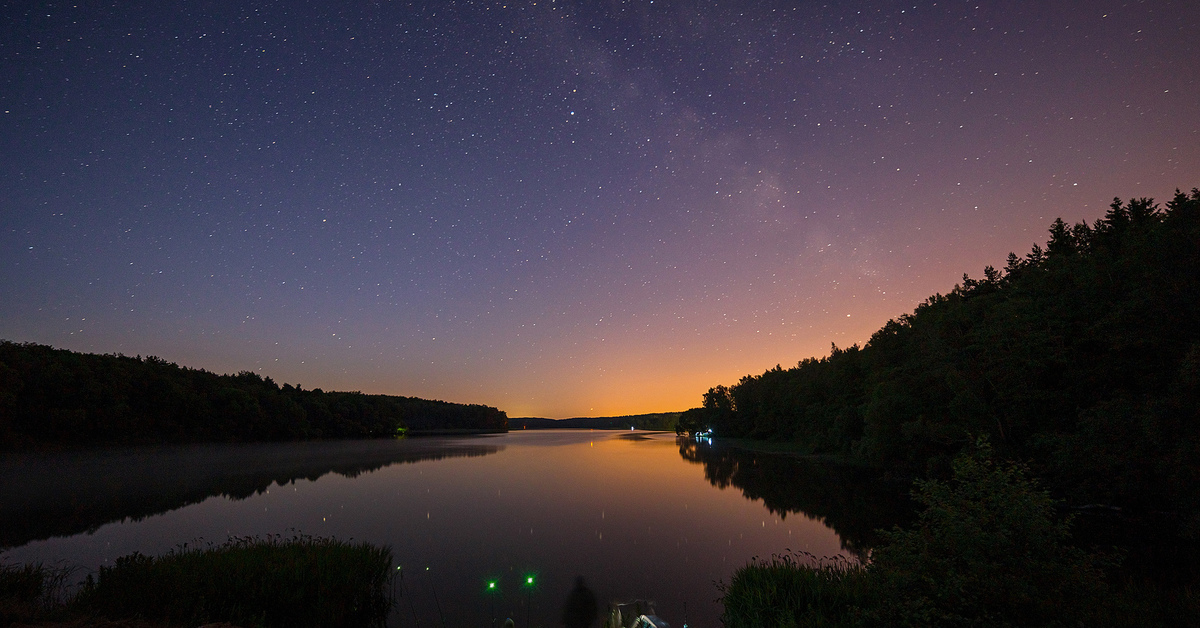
[{"x": 51, "y": 396}]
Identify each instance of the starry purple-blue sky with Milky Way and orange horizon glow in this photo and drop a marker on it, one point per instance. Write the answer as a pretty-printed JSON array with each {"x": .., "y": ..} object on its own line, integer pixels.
[{"x": 556, "y": 208}]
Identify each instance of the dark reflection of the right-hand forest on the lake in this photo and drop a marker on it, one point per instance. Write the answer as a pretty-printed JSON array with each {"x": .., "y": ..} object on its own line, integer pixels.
[{"x": 854, "y": 501}]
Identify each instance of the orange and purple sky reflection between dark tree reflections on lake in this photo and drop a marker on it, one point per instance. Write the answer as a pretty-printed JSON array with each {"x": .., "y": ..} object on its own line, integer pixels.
[{"x": 631, "y": 516}]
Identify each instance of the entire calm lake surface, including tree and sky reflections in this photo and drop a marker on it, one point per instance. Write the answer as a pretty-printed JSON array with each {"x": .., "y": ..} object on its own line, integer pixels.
[{"x": 638, "y": 515}]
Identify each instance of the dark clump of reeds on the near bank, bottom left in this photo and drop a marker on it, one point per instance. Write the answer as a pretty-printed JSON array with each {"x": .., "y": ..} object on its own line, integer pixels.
[{"x": 251, "y": 583}]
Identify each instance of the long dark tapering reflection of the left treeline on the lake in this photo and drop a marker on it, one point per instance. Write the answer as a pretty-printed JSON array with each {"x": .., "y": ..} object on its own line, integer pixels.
[{"x": 64, "y": 494}]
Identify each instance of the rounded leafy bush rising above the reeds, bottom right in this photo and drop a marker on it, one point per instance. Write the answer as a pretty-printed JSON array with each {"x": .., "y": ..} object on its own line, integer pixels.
[{"x": 988, "y": 549}]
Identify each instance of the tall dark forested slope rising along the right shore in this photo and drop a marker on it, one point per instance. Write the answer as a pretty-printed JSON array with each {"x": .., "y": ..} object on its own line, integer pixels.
[{"x": 1082, "y": 358}]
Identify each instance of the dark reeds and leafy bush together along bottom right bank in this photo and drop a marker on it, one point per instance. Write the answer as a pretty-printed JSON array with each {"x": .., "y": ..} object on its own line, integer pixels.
[{"x": 988, "y": 549}]
